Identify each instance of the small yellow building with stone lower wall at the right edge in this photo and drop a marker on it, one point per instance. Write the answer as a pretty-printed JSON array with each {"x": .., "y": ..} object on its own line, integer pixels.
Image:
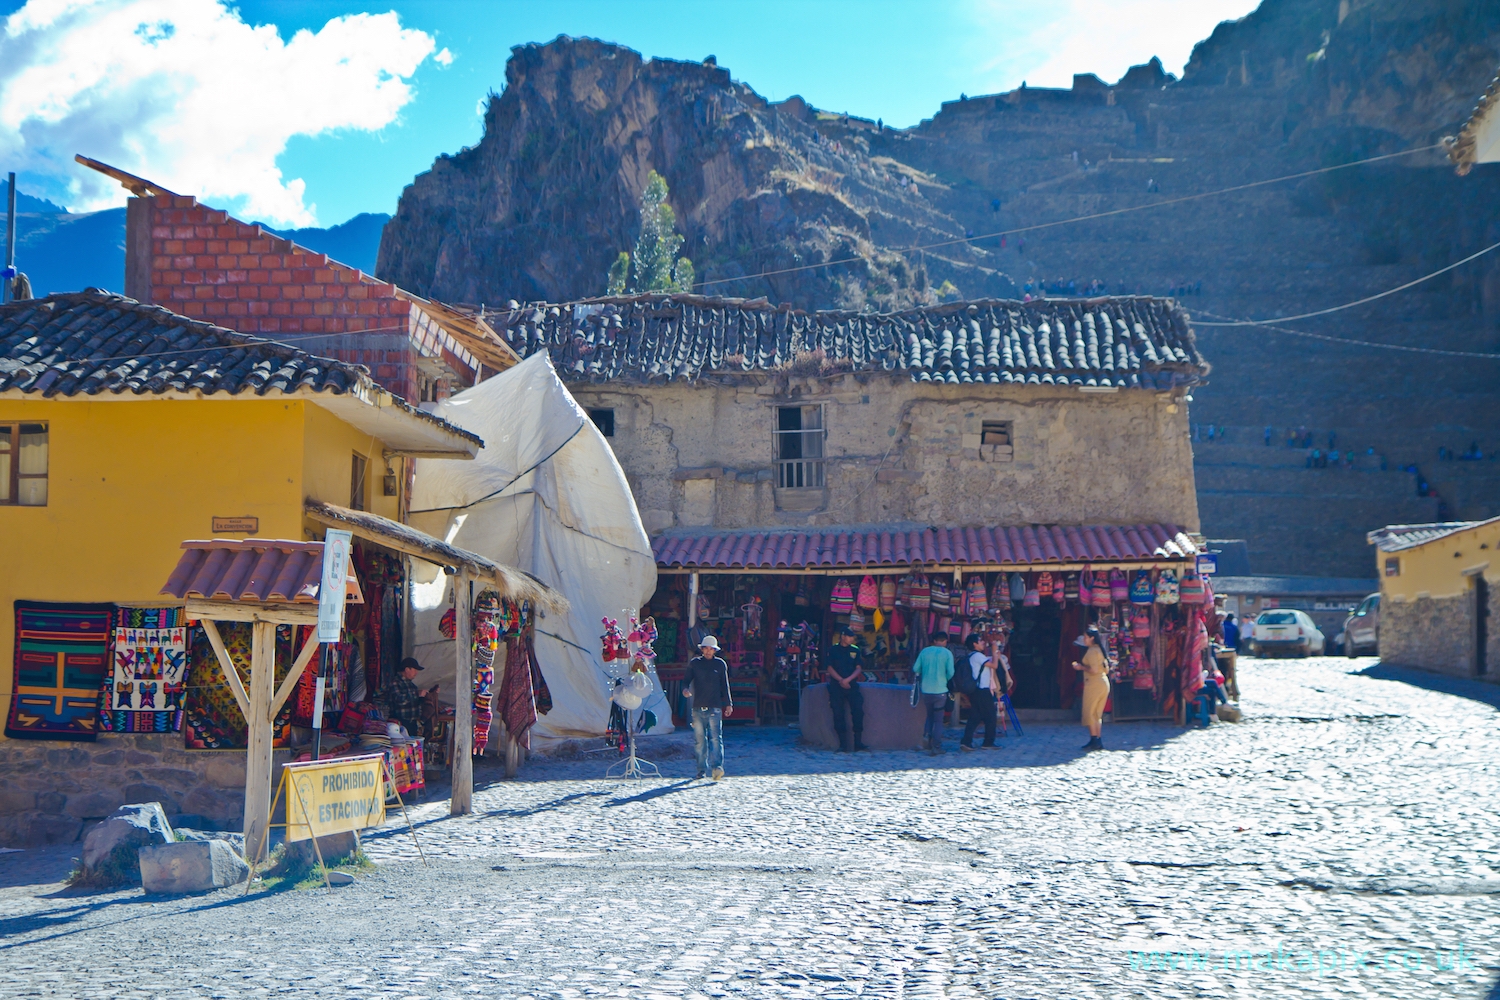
[{"x": 1441, "y": 597}]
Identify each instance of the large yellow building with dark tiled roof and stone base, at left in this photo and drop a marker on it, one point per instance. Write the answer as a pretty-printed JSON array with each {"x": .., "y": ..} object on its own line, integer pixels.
[{"x": 127, "y": 430}]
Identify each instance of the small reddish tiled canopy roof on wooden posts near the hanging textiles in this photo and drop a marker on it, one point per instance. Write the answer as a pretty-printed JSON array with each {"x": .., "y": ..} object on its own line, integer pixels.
[{"x": 248, "y": 570}]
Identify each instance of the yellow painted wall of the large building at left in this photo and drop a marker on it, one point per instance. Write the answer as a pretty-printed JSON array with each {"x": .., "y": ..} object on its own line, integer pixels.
[{"x": 131, "y": 481}]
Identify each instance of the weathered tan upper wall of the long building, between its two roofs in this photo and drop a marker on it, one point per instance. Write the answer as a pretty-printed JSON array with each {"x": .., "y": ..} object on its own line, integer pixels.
[{"x": 904, "y": 452}]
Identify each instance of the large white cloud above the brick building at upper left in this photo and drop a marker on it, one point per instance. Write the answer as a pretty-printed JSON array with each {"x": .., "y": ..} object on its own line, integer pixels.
[{"x": 187, "y": 94}]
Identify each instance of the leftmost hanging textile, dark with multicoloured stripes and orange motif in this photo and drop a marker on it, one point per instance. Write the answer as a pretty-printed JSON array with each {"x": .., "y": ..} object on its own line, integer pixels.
[{"x": 62, "y": 659}]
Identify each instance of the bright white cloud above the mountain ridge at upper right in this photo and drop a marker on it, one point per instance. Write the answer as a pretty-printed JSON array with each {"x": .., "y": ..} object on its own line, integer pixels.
[{"x": 1094, "y": 37}]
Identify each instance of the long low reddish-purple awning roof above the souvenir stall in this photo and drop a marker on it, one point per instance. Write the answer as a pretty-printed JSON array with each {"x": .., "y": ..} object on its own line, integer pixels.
[{"x": 1034, "y": 545}]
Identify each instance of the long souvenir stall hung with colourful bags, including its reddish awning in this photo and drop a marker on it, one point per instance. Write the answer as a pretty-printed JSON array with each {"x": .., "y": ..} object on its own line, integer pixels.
[{"x": 776, "y": 599}]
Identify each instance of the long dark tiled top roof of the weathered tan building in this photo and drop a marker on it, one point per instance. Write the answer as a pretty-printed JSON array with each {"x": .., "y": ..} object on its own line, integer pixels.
[{"x": 1100, "y": 343}]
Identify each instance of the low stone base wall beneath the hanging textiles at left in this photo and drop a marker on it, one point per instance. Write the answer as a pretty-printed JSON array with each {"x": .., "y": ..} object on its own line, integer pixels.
[{"x": 53, "y": 792}]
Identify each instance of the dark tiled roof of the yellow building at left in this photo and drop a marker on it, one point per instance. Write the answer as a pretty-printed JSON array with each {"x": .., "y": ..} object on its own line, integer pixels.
[{"x": 97, "y": 343}]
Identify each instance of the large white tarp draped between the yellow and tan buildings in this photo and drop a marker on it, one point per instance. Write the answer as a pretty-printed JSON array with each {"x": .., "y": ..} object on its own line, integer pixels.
[{"x": 548, "y": 497}]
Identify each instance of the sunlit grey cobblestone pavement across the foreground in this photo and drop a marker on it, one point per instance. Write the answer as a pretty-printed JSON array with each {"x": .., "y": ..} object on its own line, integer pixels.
[{"x": 1342, "y": 842}]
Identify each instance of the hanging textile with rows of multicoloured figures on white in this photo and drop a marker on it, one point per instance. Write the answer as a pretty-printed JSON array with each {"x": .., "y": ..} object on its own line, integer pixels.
[{"x": 149, "y": 672}]
